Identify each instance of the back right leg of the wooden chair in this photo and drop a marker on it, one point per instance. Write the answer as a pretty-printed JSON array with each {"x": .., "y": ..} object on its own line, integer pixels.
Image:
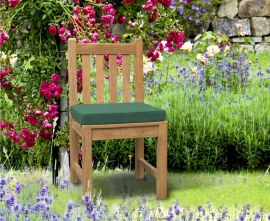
[{"x": 139, "y": 153}]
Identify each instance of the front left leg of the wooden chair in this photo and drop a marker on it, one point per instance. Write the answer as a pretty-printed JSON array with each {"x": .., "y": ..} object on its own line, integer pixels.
[{"x": 87, "y": 161}]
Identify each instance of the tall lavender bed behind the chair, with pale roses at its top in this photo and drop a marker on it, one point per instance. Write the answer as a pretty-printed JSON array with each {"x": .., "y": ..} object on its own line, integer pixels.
[{"x": 216, "y": 118}]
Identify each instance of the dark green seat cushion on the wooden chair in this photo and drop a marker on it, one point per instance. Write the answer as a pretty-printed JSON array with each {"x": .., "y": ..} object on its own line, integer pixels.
[{"x": 116, "y": 113}]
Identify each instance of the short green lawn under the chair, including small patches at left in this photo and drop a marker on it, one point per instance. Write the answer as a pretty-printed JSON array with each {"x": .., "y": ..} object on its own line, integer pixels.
[{"x": 219, "y": 189}]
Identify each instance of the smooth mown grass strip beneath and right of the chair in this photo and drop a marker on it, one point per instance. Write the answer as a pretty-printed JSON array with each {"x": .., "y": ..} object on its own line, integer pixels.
[{"x": 192, "y": 189}]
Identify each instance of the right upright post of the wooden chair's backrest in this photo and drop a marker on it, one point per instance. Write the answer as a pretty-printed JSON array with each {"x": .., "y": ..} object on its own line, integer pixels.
[{"x": 139, "y": 83}]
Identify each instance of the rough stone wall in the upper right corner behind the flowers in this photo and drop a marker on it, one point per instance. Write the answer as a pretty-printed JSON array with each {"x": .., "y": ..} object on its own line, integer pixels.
[{"x": 245, "y": 18}]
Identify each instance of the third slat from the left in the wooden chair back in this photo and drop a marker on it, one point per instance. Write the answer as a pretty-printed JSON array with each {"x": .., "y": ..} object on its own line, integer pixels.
[{"x": 113, "y": 78}]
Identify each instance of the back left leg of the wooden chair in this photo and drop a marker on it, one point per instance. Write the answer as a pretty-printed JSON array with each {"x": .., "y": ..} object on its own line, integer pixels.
[{"x": 74, "y": 155}]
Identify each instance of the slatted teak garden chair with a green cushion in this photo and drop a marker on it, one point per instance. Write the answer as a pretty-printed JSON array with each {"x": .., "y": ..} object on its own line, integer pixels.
[{"x": 101, "y": 121}]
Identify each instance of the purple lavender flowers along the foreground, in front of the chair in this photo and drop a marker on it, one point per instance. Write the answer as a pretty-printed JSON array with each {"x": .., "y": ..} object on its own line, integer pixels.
[{"x": 34, "y": 200}]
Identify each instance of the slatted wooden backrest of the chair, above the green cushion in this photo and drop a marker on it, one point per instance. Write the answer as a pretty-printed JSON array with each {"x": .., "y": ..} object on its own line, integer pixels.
[{"x": 95, "y": 52}]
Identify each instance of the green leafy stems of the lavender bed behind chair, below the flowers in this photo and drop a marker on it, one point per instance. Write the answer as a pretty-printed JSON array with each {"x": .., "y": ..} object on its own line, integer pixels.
[{"x": 217, "y": 131}]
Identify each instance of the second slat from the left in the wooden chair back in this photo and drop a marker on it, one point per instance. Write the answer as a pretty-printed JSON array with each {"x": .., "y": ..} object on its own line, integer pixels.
[{"x": 100, "y": 78}]
